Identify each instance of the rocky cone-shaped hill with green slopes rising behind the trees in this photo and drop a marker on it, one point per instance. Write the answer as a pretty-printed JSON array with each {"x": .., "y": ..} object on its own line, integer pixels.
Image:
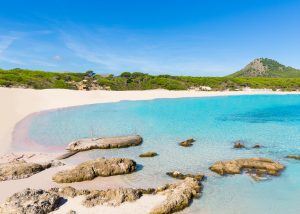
[{"x": 263, "y": 67}]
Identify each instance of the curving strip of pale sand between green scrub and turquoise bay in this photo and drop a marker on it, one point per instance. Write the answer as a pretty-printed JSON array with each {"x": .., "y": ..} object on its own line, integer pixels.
[{"x": 18, "y": 109}]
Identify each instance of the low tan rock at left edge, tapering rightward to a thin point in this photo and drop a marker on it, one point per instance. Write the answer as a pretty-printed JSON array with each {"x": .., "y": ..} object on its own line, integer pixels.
[{"x": 21, "y": 169}]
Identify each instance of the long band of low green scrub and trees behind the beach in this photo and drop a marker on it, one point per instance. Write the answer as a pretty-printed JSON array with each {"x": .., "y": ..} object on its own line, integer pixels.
[{"x": 137, "y": 81}]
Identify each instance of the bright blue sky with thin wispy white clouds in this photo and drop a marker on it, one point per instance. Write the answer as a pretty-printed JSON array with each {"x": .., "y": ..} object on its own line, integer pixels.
[{"x": 180, "y": 37}]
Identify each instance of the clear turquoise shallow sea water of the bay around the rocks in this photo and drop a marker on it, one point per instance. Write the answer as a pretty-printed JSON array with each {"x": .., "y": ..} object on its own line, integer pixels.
[{"x": 272, "y": 121}]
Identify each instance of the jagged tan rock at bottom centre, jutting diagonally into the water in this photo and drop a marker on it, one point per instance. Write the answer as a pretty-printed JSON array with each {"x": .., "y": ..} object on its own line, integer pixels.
[{"x": 179, "y": 196}]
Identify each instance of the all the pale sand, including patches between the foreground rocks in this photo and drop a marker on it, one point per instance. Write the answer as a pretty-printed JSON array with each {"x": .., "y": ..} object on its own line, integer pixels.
[{"x": 19, "y": 103}]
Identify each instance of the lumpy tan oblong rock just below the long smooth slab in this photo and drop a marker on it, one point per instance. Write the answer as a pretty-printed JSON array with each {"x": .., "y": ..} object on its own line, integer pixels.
[{"x": 100, "y": 167}]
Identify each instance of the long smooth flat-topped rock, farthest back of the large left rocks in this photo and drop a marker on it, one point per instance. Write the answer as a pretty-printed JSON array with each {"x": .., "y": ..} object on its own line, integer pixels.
[{"x": 104, "y": 143}]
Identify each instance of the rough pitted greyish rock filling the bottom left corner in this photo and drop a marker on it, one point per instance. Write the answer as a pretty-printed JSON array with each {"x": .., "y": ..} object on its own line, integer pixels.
[{"x": 31, "y": 201}]
